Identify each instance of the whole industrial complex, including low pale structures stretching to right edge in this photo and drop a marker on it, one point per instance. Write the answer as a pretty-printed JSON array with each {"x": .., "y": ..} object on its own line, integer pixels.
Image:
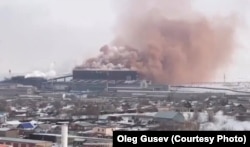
[{"x": 109, "y": 83}]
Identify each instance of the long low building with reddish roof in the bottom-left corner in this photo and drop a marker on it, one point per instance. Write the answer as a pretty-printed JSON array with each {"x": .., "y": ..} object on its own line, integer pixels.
[{"x": 17, "y": 142}]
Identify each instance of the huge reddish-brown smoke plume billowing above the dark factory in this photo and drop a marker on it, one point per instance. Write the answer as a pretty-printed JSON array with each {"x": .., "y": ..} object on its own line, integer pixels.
[{"x": 168, "y": 42}]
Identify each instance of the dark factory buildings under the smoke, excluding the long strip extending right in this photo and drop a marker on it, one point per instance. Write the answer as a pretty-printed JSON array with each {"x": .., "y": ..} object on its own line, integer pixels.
[{"x": 90, "y": 80}]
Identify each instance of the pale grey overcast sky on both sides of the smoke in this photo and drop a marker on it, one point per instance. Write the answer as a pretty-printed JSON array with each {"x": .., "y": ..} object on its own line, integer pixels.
[{"x": 35, "y": 33}]
